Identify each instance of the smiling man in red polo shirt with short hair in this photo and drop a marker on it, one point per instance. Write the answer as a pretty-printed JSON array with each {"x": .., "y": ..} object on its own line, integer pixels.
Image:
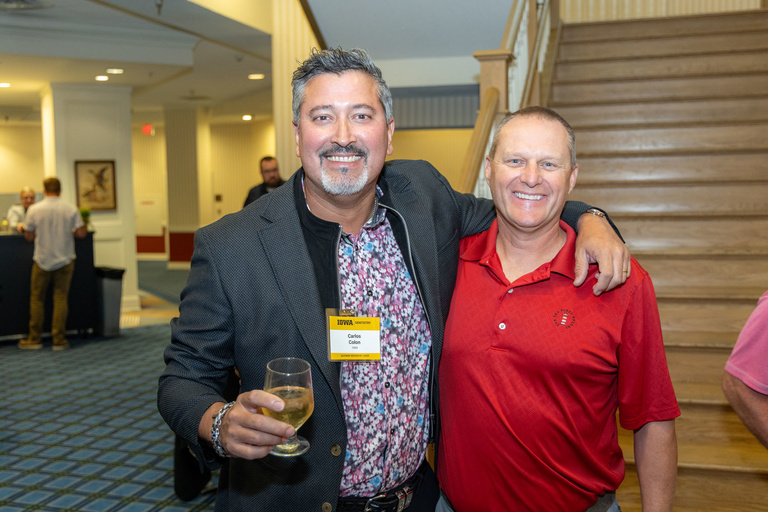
[{"x": 534, "y": 369}]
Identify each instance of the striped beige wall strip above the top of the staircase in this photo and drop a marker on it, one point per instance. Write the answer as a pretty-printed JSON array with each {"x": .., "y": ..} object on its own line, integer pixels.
[{"x": 574, "y": 11}]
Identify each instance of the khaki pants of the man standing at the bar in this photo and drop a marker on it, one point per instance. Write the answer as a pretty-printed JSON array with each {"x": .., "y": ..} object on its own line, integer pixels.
[{"x": 39, "y": 283}]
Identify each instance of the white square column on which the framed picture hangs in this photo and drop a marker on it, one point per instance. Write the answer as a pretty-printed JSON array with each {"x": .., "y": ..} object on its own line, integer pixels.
[{"x": 93, "y": 122}]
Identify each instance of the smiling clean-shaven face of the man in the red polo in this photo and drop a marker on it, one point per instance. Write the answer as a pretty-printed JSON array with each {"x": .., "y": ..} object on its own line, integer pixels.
[{"x": 530, "y": 174}]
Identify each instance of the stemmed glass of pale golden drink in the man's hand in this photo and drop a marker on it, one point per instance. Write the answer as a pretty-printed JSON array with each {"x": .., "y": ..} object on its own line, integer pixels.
[{"x": 290, "y": 379}]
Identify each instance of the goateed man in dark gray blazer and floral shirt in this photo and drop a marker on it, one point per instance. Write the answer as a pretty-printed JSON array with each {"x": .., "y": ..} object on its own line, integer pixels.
[{"x": 346, "y": 231}]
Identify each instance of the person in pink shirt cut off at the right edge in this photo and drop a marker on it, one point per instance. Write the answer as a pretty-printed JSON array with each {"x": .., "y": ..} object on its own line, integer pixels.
[{"x": 745, "y": 380}]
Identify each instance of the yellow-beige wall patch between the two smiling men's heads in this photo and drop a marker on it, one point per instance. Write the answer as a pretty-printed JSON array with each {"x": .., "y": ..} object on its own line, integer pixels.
[{"x": 444, "y": 149}]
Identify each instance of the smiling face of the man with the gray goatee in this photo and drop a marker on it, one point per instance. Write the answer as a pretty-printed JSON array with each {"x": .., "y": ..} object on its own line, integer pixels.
[{"x": 342, "y": 136}]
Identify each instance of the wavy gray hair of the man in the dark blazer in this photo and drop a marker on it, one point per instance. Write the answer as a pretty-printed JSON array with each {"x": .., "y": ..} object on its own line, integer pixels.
[{"x": 337, "y": 61}]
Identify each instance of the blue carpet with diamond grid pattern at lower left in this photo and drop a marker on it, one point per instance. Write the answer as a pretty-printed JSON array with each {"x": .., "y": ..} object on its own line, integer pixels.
[{"x": 81, "y": 431}]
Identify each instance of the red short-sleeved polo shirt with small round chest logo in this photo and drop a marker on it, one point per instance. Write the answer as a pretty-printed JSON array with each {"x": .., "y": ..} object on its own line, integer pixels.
[{"x": 531, "y": 376}]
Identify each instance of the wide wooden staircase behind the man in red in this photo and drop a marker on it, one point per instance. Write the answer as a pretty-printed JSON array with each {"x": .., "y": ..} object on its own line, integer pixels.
[{"x": 671, "y": 121}]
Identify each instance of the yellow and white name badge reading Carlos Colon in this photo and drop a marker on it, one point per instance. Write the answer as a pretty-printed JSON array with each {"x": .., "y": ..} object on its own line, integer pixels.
[{"x": 353, "y": 338}]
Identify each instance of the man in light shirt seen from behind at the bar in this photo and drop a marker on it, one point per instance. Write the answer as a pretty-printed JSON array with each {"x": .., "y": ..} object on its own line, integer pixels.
[{"x": 53, "y": 226}]
